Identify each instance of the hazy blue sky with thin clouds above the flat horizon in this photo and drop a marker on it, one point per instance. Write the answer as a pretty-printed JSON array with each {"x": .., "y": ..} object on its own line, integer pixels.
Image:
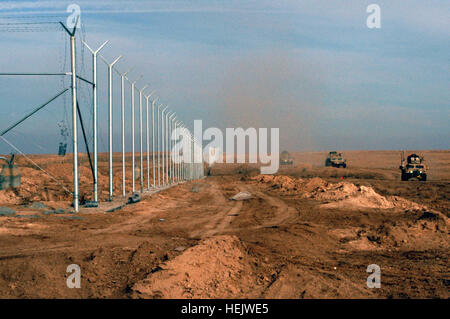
[{"x": 312, "y": 68}]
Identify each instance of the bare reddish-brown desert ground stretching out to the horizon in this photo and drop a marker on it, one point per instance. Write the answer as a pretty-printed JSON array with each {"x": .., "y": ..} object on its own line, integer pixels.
[{"x": 307, "y": 232}]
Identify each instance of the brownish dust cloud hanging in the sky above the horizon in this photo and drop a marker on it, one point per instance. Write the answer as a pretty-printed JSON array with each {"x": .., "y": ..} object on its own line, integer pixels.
[{"x": 276, "y": 89}]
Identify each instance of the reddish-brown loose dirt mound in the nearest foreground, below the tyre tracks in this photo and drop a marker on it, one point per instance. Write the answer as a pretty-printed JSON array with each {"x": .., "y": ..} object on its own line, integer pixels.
[{"x": 219, "y": 267}]
